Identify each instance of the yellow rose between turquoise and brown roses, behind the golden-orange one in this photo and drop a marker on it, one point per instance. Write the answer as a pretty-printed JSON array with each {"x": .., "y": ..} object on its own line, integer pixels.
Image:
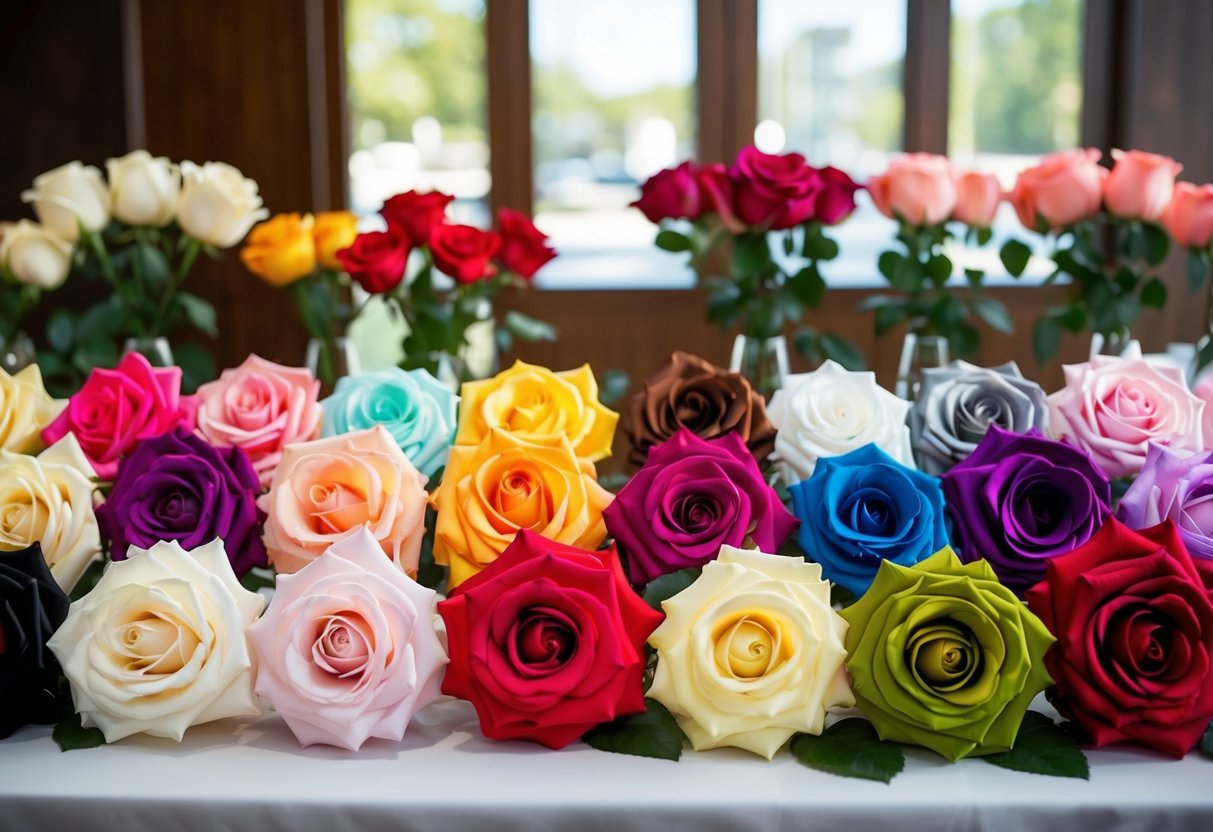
[{"x": 539, "y": 407}]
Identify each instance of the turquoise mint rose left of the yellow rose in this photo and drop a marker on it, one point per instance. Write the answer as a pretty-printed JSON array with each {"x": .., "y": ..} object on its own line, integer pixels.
[{"x": 415, "y": 408}]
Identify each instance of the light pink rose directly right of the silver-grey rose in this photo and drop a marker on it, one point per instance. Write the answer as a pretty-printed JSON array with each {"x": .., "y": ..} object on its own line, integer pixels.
[{"x": 1113, "y": 408}]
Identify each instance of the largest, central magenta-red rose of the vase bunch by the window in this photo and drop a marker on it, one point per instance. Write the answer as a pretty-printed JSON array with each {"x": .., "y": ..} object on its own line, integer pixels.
[{"x": 775, "y": 192}]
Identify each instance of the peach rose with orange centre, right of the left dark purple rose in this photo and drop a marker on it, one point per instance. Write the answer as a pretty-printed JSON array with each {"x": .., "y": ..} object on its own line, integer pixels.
[{"x": 326, "y": 491}]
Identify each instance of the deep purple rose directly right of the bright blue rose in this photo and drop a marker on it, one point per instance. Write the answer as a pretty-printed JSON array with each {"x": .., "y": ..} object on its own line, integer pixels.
[{"x": 1021, "y": 499}]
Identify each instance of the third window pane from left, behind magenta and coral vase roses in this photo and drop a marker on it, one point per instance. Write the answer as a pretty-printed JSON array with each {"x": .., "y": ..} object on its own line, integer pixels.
[{"x": 830, "y": 88}]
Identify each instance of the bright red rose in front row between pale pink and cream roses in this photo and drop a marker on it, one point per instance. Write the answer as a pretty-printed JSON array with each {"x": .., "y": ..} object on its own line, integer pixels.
[{"x": 548, "y": 642}]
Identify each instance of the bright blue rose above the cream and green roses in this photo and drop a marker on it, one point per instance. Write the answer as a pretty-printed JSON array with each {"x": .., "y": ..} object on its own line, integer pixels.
[{"x": 864, "y": 508}]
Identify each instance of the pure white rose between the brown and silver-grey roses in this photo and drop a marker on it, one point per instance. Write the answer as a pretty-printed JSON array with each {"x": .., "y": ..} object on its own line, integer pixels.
[{"x": 833, "y": 412}]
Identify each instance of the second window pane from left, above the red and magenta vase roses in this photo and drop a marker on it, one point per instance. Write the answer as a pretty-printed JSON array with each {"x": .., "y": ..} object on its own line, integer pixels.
[{"x": 613, "y": 87}]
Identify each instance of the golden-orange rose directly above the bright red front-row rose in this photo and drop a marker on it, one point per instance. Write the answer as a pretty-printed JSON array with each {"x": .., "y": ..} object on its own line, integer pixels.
[{"x": 504, "y": 485}]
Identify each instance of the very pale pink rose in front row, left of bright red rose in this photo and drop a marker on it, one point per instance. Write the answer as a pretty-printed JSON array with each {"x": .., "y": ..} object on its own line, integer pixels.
[{"x": 348, "y": 649}]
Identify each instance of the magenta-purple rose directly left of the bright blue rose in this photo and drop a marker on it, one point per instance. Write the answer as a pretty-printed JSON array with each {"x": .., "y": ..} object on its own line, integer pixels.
[{"x": 692, "y": 498}]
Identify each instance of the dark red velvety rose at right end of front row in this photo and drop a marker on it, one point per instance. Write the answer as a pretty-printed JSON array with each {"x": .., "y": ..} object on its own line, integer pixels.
[{"x": 1135, "y": 626}]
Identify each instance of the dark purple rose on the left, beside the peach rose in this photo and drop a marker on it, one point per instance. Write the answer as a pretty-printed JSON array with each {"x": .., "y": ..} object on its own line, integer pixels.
[{"x": 178, "y": 487}]
